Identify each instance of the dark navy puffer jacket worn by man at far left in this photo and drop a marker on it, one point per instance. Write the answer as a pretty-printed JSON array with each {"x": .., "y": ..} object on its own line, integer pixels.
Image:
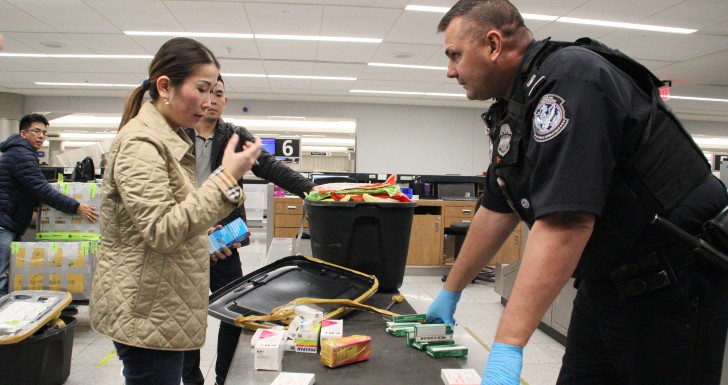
[{"x": 23, "y": 187}]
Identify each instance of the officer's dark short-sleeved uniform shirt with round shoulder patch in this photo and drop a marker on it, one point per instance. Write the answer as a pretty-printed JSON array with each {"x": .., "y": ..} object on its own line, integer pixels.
[{"x": 581, "y": 111}]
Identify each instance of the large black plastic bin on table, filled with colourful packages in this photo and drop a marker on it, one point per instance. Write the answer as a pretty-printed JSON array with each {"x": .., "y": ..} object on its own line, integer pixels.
[{"x": 370, "y": 237}]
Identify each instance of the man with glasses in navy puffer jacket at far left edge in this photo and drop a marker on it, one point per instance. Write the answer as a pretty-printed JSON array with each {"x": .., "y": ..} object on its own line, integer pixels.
[{"x": 23, "y": 187}]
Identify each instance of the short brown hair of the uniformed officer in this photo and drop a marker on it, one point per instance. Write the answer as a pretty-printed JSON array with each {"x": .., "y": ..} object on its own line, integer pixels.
[{"x": 486, "y": 14}]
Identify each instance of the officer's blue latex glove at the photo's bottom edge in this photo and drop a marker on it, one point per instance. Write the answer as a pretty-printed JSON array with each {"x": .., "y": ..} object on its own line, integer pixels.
[{"x": 504, "y": 365}]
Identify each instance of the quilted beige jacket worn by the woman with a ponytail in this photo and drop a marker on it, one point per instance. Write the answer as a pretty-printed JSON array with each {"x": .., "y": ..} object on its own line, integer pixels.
[{"x": 150, "y": 286}]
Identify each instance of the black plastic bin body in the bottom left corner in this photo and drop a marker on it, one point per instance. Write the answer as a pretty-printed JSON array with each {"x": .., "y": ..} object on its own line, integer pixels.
[{"x": 41, "y": 359}]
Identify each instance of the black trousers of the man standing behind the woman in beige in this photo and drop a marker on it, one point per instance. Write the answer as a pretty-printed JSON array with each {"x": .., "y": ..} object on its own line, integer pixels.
[{"x": 221, "y": 273}]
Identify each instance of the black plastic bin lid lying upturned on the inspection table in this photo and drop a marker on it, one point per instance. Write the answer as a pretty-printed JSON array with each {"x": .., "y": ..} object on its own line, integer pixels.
[{"x": 283, "y": 281}]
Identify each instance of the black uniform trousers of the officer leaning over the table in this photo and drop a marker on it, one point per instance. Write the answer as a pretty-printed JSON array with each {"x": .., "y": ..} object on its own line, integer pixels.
[{"x": 673, "y": 335}]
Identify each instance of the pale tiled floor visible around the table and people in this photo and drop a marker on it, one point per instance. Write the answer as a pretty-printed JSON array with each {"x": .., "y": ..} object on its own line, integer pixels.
[{"x": 95, "y": 362}]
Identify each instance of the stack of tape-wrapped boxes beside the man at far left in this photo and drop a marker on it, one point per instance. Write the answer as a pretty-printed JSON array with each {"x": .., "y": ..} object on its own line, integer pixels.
[{"x": 63, "y": 257}]
